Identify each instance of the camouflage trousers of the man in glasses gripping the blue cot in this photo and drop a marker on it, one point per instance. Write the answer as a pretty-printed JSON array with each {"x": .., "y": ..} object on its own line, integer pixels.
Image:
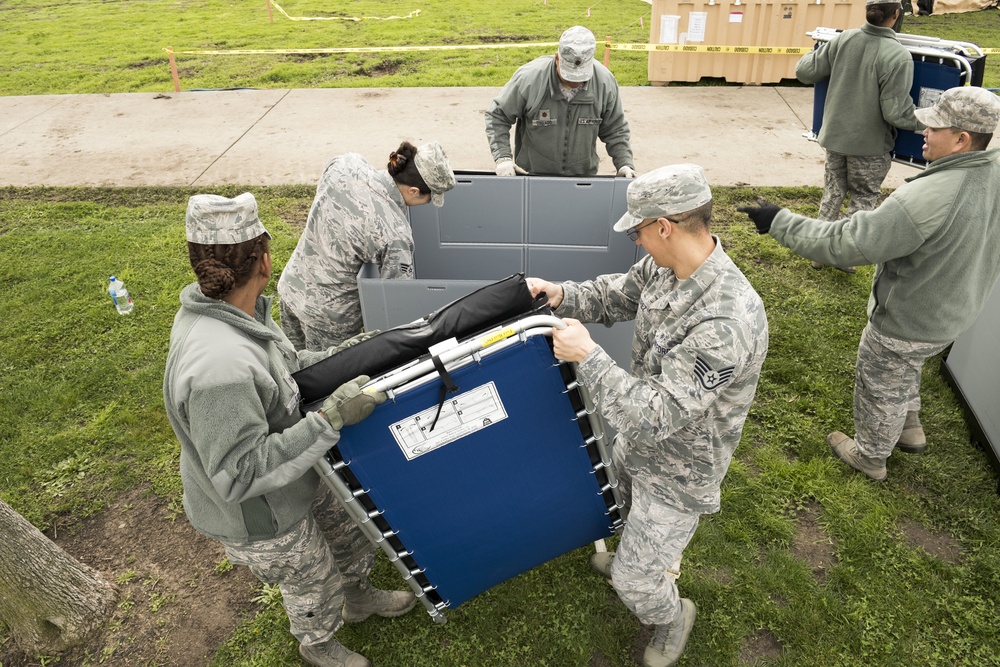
[{"x": 648, "y": 560}]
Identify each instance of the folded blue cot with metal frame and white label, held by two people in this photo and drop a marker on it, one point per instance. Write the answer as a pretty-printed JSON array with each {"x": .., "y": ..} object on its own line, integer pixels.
[{"x": 487, "y": 460}]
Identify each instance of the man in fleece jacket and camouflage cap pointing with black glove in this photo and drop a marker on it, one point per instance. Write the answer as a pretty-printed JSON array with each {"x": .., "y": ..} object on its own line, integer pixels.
[{"x": 935, "y": 242}]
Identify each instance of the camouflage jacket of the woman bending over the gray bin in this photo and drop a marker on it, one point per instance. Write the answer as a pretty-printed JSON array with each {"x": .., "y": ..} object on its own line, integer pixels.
[{"x": 358, "y": 216}]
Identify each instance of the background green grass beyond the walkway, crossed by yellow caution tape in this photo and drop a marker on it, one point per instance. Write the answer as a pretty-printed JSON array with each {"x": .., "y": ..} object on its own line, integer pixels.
[{"x": 116, "y": 46}]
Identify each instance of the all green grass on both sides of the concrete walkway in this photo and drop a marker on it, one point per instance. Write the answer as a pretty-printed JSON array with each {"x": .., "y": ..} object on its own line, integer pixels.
[{"x": 808, "y": 564}]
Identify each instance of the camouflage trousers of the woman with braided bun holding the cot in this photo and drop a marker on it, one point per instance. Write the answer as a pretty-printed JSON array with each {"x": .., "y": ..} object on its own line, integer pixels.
[{"x": 311, "y": 565}]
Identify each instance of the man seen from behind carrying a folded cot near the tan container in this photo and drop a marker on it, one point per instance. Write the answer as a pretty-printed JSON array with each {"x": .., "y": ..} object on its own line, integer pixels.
[{"x": 868, "y": 97}]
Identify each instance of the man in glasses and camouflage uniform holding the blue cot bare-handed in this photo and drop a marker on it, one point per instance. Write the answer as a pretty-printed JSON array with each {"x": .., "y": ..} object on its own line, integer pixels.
[{"x": 700, "y": 341}]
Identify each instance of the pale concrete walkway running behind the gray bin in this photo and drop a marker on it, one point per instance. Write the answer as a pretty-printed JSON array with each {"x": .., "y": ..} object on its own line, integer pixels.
[{"x": 740, "y": 135}]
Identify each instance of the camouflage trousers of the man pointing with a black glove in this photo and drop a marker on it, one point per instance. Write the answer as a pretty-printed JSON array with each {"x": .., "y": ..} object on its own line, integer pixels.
[{"x": 886, "y": 387}]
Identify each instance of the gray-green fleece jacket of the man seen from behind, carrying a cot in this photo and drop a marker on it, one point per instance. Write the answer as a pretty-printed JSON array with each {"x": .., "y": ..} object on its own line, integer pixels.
[{"x": 870, "y": 75}]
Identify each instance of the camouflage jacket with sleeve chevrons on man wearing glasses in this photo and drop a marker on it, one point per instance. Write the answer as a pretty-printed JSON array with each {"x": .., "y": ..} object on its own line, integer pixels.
[{"x": 697, "y": 353}]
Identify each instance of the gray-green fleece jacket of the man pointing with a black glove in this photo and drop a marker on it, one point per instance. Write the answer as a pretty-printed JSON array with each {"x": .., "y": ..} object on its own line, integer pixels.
[{"x": 935, "y": 241}]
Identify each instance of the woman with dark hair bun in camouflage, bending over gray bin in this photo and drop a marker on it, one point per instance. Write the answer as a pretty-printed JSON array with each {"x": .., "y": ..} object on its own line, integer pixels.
[{"x": 358, "y": 216}]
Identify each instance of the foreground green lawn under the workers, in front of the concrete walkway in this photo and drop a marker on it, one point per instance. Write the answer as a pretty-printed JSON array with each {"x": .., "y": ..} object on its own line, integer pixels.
[{"x": 807, "y": 564}]
